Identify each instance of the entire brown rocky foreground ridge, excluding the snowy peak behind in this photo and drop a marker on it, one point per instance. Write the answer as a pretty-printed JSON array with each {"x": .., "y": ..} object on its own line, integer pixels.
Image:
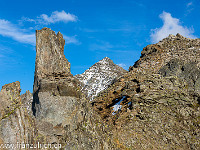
[{"x": 156, "y": 105}]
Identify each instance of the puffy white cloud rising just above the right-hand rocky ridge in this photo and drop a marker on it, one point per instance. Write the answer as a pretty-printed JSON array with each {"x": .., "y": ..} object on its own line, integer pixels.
[{"x": 170, "y": 26}]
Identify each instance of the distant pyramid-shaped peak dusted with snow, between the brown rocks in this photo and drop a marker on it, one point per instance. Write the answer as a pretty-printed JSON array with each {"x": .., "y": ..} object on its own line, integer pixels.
[{"x": 99, "y": 76}]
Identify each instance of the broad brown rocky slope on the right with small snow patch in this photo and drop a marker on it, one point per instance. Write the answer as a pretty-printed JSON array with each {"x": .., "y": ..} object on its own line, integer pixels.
[{"x": 157, "y": 104}]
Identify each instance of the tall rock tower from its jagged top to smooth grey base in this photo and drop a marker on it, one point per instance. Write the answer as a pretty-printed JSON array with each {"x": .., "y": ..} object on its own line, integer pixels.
[{"x": 55, "y": 89}]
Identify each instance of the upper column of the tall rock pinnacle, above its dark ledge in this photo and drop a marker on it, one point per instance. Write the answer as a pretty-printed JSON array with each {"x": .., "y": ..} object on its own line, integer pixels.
[{"x": 50, "y": 60}]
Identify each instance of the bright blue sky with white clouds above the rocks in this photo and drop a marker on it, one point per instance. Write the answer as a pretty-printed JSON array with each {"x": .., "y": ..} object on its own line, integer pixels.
[{"x": 118, "y": 29}]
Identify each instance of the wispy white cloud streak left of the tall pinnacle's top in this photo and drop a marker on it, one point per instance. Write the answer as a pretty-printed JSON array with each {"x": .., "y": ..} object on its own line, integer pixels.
[{"x": 8, "y": 29}]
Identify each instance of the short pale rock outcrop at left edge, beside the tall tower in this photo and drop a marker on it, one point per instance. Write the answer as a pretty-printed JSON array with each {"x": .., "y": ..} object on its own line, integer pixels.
[{"x": 16, "y": 126}]
